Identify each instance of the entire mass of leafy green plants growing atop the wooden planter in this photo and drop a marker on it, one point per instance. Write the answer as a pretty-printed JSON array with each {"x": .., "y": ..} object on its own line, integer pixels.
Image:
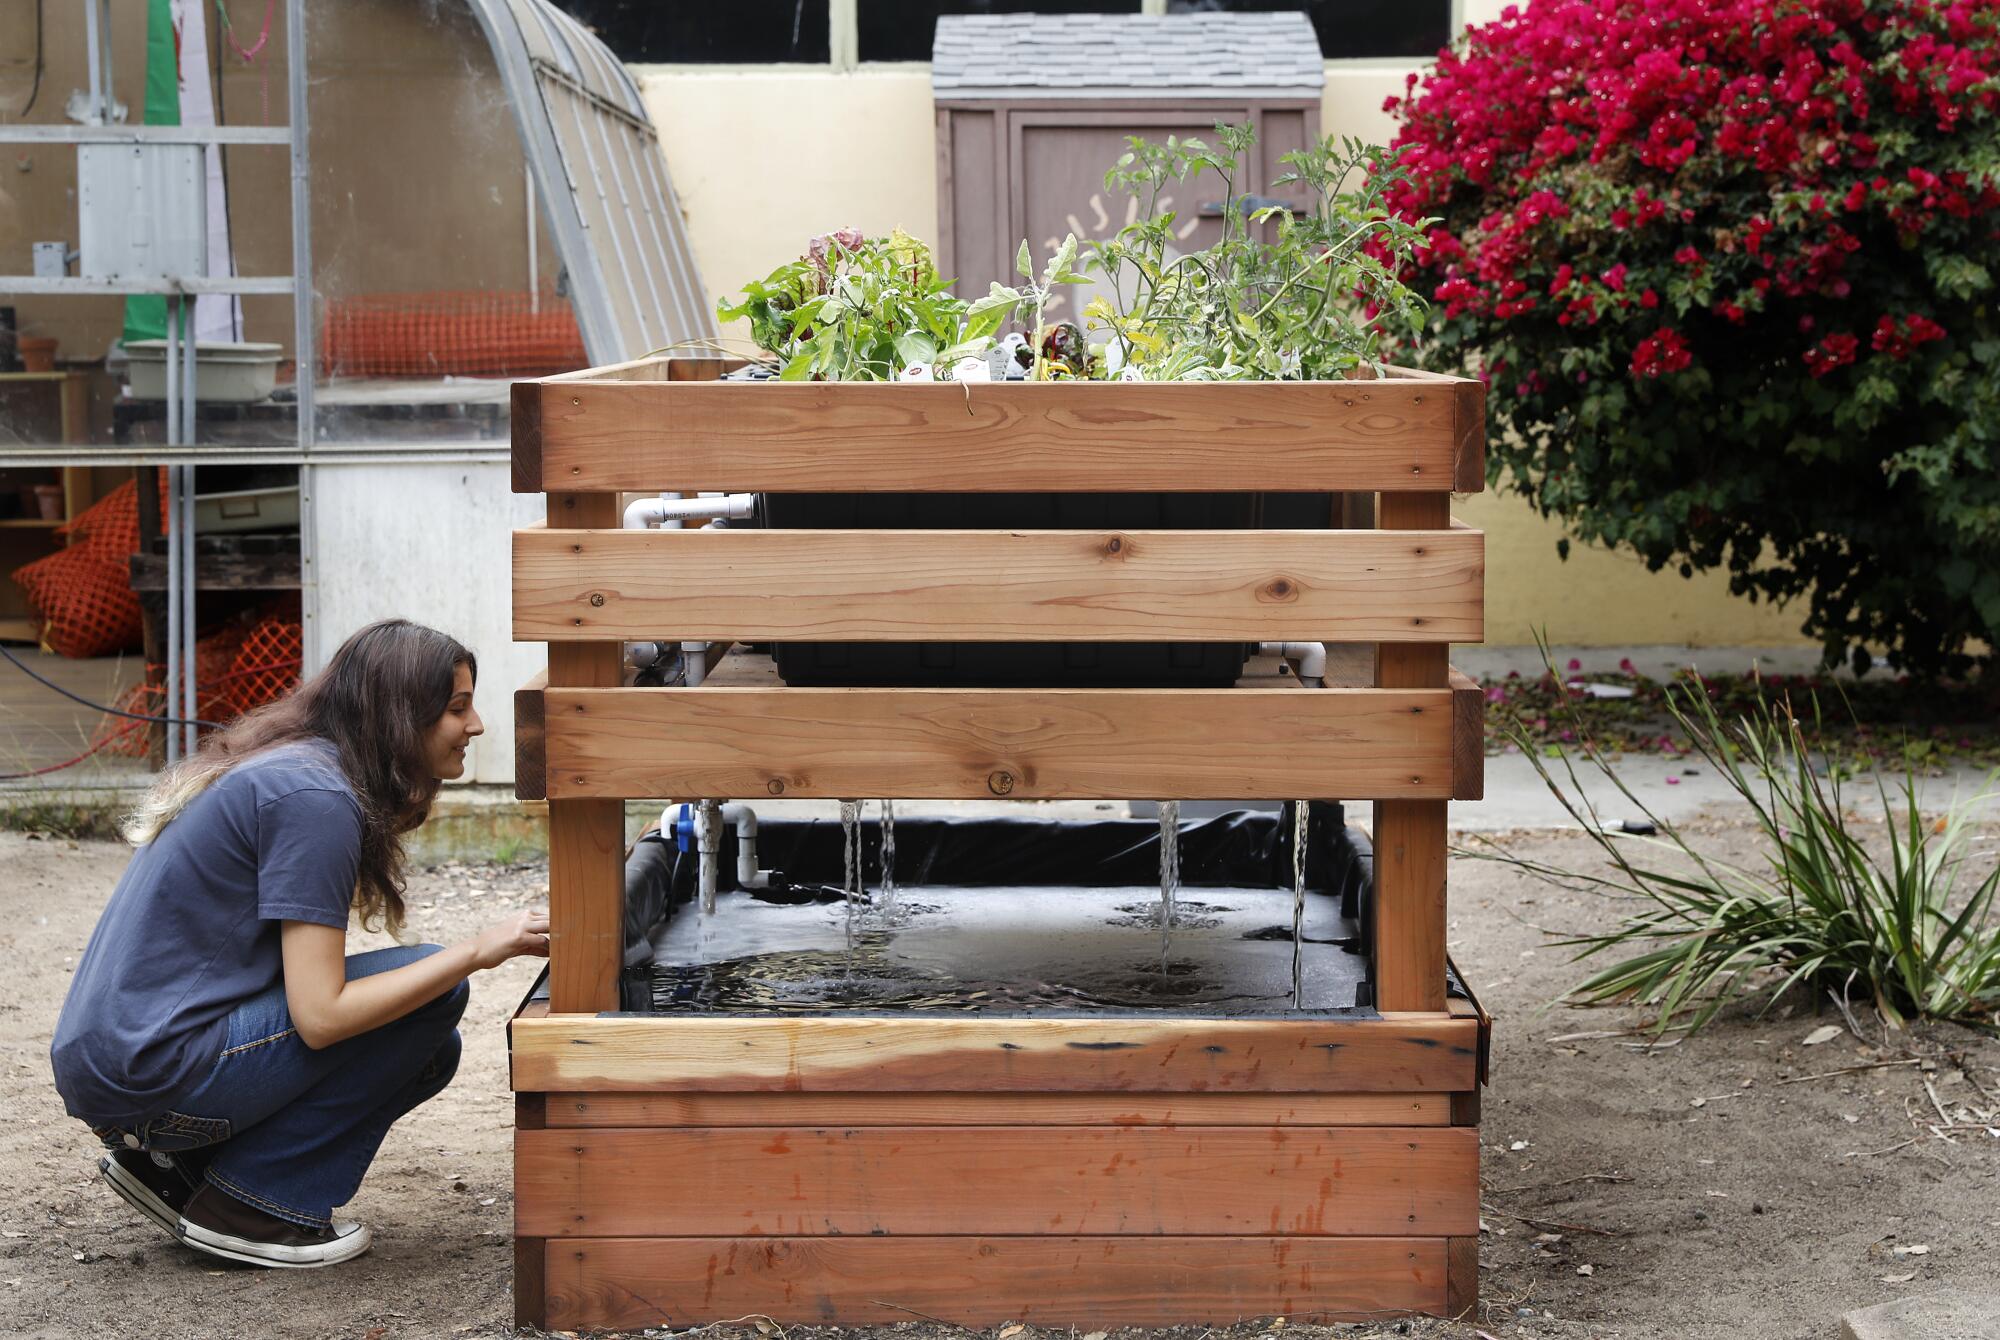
[{"x": 1283, "y": 293}]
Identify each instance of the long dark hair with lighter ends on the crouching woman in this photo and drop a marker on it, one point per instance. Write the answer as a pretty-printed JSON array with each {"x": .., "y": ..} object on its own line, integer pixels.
[{"x": 375, "y": 701}]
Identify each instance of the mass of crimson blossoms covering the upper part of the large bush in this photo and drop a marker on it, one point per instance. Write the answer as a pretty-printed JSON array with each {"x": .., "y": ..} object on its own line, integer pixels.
[{"x": 1679, "y": 173}]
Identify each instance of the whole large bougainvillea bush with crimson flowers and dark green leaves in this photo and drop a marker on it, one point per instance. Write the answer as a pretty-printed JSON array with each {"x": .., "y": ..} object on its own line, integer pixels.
[{"x": 1729, "y": 269}]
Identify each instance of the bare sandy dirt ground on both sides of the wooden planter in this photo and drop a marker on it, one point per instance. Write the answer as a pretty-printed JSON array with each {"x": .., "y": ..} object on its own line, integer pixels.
[{"x": 1735, "y": 1185}]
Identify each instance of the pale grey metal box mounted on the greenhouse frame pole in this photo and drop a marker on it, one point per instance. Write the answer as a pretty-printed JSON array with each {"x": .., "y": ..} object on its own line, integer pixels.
[{"x": 143, "y": 211}]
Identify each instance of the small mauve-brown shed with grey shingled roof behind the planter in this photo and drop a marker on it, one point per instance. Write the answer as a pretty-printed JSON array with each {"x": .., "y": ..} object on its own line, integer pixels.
[{"x": 1033, "y": 109}]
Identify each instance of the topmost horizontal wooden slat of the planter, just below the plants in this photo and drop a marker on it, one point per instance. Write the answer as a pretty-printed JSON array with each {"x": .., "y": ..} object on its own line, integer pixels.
[{"x": 1013, "y": 437}]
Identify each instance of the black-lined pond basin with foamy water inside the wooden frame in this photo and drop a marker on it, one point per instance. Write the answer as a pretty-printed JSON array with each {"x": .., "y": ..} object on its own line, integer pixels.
[{"x": 1007, "y": 917}]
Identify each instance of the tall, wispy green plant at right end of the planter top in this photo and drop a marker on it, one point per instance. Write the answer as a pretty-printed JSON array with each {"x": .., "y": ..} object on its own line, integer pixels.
[{"x": 1283, "y": 295}]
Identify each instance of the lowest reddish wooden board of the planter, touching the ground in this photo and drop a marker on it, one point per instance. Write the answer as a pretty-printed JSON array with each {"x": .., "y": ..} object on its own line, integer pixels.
[{"x": 979, "y": 1283}]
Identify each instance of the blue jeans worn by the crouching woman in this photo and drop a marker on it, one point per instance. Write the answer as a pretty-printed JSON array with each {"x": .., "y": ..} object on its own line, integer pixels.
[{"x": 291, "y": 1131}]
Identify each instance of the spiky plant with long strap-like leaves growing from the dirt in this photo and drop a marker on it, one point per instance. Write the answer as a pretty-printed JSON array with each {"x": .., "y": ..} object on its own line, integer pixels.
[{"x": 1907, "y": 929}]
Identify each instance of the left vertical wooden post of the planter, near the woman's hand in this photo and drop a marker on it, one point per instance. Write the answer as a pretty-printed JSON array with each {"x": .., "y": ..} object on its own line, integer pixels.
[{"x": 585, "y": 837}]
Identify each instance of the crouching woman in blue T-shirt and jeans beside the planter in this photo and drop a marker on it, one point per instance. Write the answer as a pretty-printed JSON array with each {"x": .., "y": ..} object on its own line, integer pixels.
[{"x": 239, "y": 1065}]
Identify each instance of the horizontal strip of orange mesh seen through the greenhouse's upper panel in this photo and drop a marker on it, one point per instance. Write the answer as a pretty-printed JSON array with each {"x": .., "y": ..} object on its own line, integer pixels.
[{"x": 451, "y": 335}]
